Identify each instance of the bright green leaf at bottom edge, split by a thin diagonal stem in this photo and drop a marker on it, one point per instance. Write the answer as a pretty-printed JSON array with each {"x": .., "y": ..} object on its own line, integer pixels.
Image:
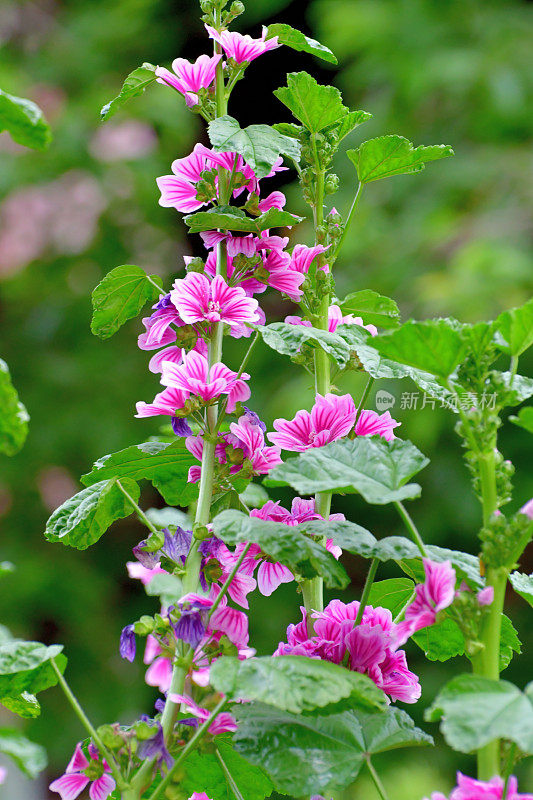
[{"x": 203, "y": 773}]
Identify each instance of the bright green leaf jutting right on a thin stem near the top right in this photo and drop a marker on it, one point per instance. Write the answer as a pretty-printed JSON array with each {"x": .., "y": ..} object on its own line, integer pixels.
[{"x": 393, "y": 155}]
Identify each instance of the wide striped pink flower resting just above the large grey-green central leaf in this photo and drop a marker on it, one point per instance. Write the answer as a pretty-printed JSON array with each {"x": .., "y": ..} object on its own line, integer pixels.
[{"x": 330, "y": 418}]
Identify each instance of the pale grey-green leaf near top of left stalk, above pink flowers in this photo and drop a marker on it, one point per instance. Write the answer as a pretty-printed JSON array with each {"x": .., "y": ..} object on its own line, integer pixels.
[{"x": 259, "y": 145}]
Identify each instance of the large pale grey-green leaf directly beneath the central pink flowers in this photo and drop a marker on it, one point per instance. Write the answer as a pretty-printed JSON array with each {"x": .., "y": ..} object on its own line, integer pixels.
[{"x": 376, "y": 469}]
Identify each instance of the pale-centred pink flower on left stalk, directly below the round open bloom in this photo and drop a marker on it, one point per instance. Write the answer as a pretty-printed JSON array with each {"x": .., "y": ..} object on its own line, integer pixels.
[{"x": 194, "y": 376}]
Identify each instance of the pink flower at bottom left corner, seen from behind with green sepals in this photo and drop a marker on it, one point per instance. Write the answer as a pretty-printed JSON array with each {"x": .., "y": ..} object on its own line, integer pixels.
[{"x": 76, "y": 777}]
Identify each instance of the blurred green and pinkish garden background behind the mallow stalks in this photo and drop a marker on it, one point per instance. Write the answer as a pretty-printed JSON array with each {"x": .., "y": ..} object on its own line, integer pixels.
[{"x": 452, "y": 241}]
